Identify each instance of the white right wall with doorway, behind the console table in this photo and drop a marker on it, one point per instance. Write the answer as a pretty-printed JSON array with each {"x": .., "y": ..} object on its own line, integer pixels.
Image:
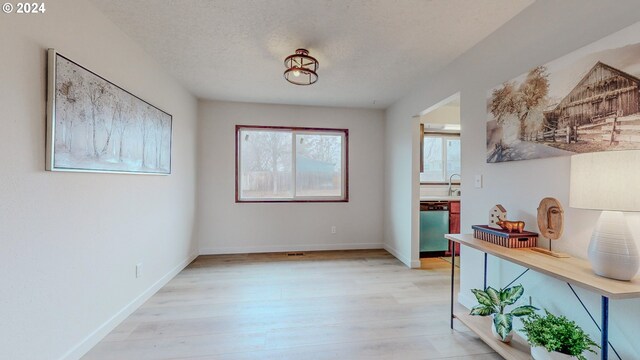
[{"x": 544, "y": 31}]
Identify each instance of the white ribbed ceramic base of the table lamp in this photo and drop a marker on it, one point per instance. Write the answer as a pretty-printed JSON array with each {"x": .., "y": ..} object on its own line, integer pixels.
[{"x": 612, "y": 250}]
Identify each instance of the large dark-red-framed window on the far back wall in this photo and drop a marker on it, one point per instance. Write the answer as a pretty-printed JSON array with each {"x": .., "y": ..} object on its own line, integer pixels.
[{"x": 282, "y": 164}]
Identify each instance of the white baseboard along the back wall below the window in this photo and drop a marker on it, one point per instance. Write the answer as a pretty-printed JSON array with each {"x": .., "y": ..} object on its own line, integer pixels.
[{"x": 285, "y": 248}]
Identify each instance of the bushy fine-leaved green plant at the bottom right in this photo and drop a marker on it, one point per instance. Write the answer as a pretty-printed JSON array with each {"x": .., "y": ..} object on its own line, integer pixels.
[{"x": 557, "y": 333}]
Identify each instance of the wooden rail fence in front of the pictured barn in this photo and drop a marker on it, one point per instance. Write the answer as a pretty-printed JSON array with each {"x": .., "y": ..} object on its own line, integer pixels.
[{"x": 610, "y": 129}]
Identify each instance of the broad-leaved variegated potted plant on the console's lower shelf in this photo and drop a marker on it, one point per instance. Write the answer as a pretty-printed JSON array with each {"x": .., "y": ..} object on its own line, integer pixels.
[{"x": 494, "y": 302}]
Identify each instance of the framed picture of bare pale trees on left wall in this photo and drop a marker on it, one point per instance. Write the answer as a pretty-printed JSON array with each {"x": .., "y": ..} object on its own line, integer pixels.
[{"x": 94, "y": 125}]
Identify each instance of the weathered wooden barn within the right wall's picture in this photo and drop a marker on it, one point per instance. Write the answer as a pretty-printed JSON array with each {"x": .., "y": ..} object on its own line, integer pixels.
[{"x": 604, "y": 92}]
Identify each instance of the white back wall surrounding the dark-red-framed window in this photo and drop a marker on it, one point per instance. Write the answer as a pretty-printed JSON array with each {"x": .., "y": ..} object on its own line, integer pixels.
[{"x": 227, "y": 227}]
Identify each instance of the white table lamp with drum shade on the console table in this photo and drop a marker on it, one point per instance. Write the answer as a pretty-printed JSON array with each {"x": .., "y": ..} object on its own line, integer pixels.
[{"x": 609, "y": 181}]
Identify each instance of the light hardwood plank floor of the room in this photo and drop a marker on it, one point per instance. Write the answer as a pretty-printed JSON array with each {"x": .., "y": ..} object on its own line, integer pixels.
[{"x": 324, "y": 305}]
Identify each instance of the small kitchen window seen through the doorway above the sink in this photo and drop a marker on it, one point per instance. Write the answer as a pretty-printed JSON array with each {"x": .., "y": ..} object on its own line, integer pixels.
[{"x": 441, "y": 157}]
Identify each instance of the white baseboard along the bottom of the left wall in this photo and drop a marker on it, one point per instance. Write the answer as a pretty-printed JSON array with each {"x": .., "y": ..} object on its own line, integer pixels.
[{"x": 98, "y": 334}]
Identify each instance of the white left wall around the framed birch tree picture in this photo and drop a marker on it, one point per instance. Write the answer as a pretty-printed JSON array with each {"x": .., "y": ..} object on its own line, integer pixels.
[{"x": 69, "y": 242}]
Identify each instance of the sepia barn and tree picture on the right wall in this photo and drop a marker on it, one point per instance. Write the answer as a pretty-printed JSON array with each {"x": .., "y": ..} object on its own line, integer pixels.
[{"x": 586, "y": 101}]
